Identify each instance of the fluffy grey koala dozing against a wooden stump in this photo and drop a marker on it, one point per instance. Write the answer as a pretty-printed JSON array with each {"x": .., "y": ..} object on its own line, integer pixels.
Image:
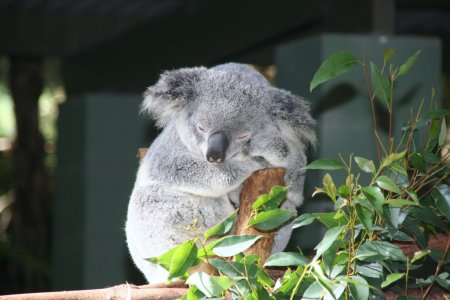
[{"x": 218, "y": 126}]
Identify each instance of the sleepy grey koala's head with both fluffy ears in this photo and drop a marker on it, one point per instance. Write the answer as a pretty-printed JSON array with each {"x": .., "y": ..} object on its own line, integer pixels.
[{"x": 217, "y": 111}]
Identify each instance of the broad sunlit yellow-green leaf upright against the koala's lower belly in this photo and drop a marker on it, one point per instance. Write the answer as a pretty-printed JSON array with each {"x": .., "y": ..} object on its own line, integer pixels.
[{"x": 183, "y": 258}]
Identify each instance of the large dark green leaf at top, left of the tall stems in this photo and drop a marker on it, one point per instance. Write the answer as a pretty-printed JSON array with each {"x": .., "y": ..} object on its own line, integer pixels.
[{"x": 335, "y": 65}]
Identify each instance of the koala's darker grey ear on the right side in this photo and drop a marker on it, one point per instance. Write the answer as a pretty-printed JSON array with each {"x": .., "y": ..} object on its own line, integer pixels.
[{"x": 292, "y": 114}]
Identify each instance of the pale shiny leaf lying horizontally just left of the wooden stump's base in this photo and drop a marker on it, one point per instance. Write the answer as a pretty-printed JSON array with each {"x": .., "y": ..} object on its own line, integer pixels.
[{"x": 234, "y": 244}]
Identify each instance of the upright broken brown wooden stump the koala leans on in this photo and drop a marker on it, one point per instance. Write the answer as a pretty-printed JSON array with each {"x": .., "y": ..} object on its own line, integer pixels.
[{"x": 260, "y": 182}]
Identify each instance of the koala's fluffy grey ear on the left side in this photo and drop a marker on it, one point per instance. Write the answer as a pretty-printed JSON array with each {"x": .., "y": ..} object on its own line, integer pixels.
[{"x": 173, "y": 91}]
